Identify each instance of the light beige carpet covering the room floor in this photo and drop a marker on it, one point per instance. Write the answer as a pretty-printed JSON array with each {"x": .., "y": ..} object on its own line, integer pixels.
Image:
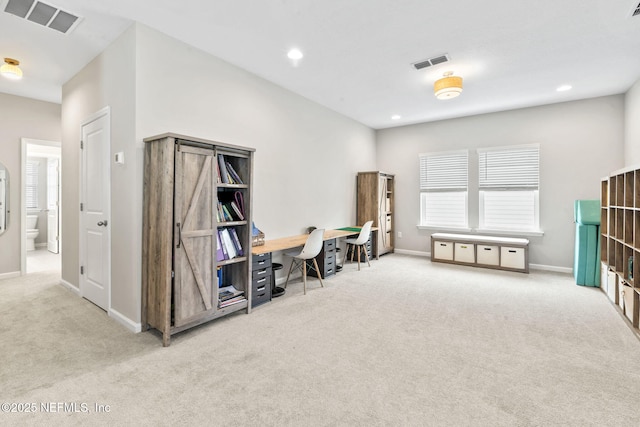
[{"x": 405, "y": 342}]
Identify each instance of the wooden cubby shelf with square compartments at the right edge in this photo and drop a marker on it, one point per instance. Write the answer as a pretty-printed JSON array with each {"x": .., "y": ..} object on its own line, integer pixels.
[{"x": 620, "y": 241}]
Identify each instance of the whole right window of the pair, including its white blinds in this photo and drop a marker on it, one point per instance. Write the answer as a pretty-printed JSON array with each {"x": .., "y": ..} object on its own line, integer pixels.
[{"x": 509, "y": 183}]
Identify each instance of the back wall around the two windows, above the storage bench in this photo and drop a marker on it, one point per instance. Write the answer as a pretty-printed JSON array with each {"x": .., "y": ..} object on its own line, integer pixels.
[{"x": 580, "y": 142}]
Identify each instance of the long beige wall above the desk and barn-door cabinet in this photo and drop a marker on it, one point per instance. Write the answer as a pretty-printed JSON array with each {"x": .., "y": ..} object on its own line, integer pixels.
[{"x": 306, "y": 157}]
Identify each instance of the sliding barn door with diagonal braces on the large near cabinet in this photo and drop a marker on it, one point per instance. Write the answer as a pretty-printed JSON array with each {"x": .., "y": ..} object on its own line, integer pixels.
[{"x": 194, "y": 243}]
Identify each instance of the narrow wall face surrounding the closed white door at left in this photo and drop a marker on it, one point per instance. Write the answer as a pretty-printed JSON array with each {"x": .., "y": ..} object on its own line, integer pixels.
[{"x": 107, "y": 81}]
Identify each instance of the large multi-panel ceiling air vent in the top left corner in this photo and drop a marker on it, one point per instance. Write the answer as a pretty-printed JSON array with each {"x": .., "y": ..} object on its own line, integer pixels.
[{"x": 43, "y": 14}]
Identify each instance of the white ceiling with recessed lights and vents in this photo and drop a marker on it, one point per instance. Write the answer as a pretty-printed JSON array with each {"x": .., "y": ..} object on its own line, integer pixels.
[{"x": 358, "y": 53}]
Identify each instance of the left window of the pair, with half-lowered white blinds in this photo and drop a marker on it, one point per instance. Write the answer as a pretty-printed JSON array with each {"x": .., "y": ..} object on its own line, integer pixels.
[{"x": 443, "y": 189}]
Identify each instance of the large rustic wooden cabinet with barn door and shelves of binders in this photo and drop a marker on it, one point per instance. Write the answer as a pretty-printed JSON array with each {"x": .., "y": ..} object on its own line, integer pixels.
[{"x": 182, "y": 266}]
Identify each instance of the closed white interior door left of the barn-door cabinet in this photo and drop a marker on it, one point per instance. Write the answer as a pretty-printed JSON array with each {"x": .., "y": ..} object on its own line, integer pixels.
[{"x": 95, "y": 213}]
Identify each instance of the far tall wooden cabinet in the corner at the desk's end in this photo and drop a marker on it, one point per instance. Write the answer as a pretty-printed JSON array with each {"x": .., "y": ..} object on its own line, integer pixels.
[{"x": 375, "y": 202}]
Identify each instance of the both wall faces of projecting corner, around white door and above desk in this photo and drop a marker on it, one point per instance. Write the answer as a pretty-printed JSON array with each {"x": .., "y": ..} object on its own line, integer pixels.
[{"x": 307, "y": 156}]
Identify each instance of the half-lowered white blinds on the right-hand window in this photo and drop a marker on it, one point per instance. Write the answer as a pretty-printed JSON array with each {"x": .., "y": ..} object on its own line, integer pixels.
[{"x": 509, "y": 168}]
